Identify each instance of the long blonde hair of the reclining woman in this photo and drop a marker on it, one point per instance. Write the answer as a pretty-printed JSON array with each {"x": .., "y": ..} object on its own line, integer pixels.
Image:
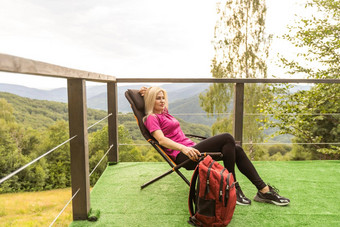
[{"x": 150, "y": 98}]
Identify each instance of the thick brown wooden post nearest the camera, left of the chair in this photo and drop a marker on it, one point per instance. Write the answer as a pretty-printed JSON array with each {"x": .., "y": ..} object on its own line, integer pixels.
[{"x": 79, "y": 148}]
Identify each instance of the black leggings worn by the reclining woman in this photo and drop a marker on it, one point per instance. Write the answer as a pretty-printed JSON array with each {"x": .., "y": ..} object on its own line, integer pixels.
[{"x": 232, "y": 154}]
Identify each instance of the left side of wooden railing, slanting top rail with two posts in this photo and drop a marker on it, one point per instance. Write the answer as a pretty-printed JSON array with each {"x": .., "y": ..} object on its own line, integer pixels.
[{"x": 77, "y": 120}]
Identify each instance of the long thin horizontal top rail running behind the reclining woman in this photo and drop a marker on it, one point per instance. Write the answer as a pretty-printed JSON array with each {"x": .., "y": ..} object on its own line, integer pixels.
[{"x": 224, "y": 80}]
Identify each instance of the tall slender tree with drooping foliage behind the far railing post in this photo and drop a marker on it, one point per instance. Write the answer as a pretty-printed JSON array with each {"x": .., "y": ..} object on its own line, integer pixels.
[{"x": 241, "y": 49}]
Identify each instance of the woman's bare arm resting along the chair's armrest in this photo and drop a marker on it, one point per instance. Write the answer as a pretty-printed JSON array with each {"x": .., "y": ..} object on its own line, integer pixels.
[{"x": 191, "y": 152}]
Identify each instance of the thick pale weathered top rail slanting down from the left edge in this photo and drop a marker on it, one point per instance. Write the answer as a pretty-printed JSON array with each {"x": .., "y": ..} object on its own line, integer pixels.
[{"x": 9, "y": 63}]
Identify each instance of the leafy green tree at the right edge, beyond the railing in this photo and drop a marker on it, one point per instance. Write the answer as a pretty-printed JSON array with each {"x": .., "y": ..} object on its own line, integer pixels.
[{"x": 312, "y": 116}]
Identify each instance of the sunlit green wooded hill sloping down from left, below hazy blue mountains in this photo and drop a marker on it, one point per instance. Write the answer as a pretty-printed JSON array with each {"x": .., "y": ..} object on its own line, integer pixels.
[{"x": 40, "y": 114}]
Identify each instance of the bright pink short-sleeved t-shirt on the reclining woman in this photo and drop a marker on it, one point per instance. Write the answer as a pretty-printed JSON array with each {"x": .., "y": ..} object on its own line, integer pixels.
[{"x": 170, "y": 128}]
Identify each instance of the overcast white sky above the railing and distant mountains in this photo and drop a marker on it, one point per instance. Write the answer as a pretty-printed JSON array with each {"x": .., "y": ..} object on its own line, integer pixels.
[{"x": 130, "y": 38}]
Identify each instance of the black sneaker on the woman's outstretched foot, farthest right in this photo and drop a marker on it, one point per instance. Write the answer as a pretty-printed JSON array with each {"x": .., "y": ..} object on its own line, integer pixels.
[{"x": 271, "y": 197}]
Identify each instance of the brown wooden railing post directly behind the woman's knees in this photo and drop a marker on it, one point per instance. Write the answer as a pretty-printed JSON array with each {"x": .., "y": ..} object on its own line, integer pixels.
[{"x": 238, "y": 113}]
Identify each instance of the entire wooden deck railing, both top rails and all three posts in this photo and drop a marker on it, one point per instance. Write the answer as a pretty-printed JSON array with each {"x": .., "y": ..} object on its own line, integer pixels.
[{"x": 78, "y": 112}]
